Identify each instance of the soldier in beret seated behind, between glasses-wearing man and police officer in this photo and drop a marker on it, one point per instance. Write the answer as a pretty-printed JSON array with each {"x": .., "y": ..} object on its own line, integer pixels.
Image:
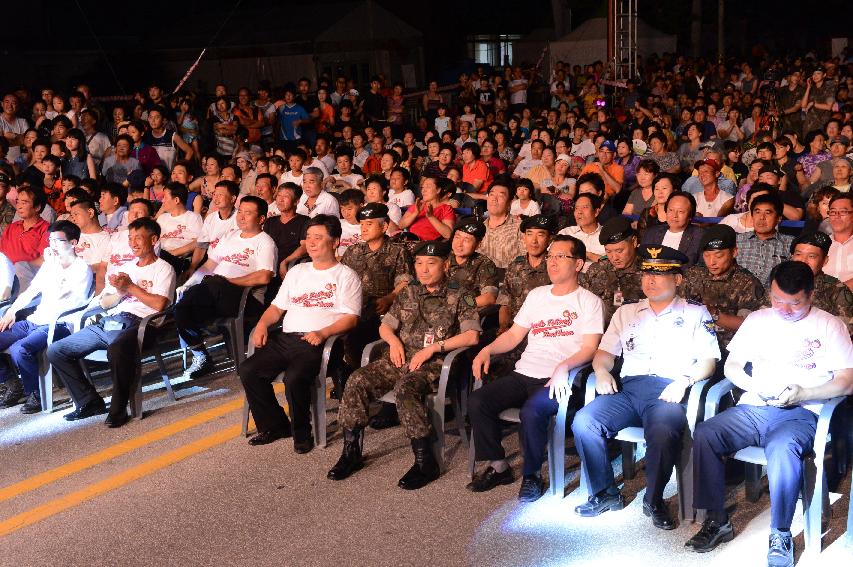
[{"x": 615, "y": 278}]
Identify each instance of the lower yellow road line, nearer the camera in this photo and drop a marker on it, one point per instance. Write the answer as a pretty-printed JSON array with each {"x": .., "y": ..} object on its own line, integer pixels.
[{"x": 72, "y": 499}]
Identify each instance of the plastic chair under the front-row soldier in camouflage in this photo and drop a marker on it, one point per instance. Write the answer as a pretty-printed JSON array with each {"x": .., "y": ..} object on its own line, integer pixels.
[{"x": 435, "y": 402}]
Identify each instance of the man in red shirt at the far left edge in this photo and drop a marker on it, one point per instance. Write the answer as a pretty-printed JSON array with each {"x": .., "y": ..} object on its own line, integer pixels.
[{"x": 24, "y": 241}]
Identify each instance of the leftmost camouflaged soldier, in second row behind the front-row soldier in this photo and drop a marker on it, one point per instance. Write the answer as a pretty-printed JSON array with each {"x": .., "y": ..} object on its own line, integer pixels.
[{"x": 384, "y": 269}]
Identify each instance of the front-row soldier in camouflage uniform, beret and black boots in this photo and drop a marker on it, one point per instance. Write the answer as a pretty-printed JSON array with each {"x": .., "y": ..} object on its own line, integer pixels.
[{"x": 427, "y": 318}]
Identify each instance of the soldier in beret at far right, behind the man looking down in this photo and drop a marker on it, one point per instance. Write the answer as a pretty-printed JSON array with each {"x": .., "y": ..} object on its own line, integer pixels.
[{"x": 830, "y": 294}]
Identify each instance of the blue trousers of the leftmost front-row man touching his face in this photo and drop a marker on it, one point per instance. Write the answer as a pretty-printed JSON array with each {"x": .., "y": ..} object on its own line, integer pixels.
[{"x": 24, "y": 341}]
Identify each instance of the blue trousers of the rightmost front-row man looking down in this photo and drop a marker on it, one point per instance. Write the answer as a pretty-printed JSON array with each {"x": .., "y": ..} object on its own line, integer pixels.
[{"x": 787, "y": 434}]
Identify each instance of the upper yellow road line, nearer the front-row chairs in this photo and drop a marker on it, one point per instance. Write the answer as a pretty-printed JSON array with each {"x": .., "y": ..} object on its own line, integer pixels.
[{"x": 119, "y": 449}]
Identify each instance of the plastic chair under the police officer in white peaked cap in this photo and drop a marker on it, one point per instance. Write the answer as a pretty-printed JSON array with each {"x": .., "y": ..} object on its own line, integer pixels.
[{"x": 630, "y": 437}]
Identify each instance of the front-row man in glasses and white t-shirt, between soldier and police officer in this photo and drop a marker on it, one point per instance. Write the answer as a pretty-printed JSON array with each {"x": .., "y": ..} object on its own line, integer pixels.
[{"x": 563, "y": 324}]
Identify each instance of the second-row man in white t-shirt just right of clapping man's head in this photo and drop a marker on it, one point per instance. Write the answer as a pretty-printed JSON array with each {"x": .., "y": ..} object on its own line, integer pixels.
[{"x": 180, "y": 227}]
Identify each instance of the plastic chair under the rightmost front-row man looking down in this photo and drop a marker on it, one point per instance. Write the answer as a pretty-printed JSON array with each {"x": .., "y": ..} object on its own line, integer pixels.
[{"x": 815, "y": 491}]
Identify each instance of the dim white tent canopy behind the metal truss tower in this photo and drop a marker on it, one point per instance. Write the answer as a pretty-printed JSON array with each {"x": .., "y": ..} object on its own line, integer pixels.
[{"x": 588, "y": 42}]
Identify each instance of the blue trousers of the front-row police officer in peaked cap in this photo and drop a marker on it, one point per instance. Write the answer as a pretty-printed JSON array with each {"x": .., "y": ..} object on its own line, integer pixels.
[{"x": 636, "y": 404}]
